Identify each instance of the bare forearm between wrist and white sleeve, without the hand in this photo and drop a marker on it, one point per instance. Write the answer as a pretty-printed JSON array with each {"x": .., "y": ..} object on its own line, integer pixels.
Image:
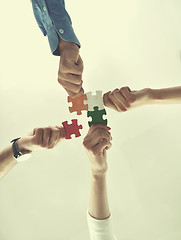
[{"x": 98, "y": 204}]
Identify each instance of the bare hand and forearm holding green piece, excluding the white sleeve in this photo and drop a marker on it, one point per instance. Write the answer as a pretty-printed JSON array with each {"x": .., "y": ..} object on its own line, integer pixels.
[{"x": 96, "y": 143}]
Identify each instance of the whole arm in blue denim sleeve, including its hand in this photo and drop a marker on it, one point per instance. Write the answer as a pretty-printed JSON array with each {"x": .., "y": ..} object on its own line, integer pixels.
[{"x": 55, "y": 22}]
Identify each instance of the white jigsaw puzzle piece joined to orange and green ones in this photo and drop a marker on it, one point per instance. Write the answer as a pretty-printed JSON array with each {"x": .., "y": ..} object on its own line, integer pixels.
[{"x": 94, "y": 100}]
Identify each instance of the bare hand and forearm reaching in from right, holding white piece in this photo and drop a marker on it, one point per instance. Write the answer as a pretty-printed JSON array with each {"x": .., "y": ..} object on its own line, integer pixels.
[{"x": 124, "y": 99}]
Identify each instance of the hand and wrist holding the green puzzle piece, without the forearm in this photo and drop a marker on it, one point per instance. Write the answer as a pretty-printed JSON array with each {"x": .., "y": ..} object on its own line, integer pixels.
[{"x": 96, "y": 142}]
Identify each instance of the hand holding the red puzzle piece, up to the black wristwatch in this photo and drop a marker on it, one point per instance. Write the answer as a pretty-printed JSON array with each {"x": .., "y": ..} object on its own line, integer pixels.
[{"x": 47, "y": 137}]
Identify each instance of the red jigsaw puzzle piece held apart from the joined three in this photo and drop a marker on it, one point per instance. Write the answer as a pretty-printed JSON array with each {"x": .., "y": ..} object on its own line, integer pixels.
[{"x": 72, "y": 128}]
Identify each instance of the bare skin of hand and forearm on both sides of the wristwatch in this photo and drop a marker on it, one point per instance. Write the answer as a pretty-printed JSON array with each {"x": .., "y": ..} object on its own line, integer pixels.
[{"x": 39, "y": 138}]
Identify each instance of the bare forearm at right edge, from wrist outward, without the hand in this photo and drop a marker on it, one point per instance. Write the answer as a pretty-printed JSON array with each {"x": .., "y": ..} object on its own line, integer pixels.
[{"x": 166, "y": 95}]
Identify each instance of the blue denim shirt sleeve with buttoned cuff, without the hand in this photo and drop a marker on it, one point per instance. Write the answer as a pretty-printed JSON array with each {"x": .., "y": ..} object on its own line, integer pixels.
[{"x": 53, "y": 20}]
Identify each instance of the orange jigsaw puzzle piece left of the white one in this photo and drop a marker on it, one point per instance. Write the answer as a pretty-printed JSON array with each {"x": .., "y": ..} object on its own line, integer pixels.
[{"x": 78, "y": 104}]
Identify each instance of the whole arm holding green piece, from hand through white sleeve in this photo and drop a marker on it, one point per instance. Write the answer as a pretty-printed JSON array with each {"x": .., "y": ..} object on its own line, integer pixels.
[{"x": 97, "y": 141}]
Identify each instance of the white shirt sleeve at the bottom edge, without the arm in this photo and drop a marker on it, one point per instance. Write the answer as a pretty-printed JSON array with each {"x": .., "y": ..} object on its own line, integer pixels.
[{"x": 100, "y": 229}]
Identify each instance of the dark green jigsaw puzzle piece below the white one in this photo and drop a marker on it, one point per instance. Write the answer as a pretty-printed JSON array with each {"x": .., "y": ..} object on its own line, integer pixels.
[{"x": 97, "y": 116}]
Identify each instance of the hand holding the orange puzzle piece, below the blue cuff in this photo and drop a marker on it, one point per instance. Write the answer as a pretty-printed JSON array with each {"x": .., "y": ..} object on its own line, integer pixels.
[{"x": 70, "y": 69}]
